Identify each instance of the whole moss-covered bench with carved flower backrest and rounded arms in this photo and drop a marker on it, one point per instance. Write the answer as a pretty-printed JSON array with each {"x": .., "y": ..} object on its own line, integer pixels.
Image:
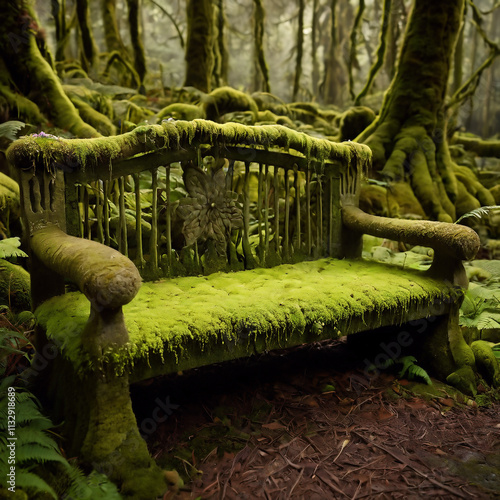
[{"x": 248, "y": 238}]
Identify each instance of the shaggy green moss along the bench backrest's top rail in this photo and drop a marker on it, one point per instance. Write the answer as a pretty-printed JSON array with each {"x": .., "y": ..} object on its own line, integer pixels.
[{"x": 98, "y": 153}]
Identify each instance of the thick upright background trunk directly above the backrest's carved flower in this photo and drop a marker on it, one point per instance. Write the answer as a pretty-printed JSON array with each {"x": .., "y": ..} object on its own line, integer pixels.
[{"x": 199, "y": 45}]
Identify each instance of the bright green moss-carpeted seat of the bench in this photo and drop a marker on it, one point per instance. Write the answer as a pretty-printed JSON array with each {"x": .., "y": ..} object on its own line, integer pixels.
[{"x": 185, "y": 322}]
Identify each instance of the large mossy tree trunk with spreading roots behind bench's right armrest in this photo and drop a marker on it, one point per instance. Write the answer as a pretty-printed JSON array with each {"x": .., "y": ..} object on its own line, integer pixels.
[{"x": 409, "y": 137}]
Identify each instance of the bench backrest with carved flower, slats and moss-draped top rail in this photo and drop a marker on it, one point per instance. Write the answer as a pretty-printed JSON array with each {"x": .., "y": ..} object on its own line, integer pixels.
[{"x": 194, "y": 197}]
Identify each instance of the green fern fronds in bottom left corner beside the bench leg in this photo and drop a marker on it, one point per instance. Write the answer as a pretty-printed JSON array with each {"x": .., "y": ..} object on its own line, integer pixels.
[{"x": 33, "y": 457}]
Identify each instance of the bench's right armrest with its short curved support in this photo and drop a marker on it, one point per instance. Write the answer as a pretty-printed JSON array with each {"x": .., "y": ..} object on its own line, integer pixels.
[{"x": 452, "y": 243}]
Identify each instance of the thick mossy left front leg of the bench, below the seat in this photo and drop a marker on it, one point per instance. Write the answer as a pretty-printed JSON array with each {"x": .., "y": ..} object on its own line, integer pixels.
[{"x": 102, "y": 431}]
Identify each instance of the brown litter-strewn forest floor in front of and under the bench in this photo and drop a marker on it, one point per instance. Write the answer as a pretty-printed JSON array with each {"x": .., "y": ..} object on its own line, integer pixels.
[{"x": 308, "y": 423}]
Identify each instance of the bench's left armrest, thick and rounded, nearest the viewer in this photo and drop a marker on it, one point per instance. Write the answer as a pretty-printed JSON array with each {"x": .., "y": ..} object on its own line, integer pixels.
[{"x": 106, "y": 277}]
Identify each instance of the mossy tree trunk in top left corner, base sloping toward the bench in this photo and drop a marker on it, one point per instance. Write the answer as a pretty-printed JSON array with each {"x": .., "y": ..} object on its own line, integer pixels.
[{"x": 29, "y": 86}]
